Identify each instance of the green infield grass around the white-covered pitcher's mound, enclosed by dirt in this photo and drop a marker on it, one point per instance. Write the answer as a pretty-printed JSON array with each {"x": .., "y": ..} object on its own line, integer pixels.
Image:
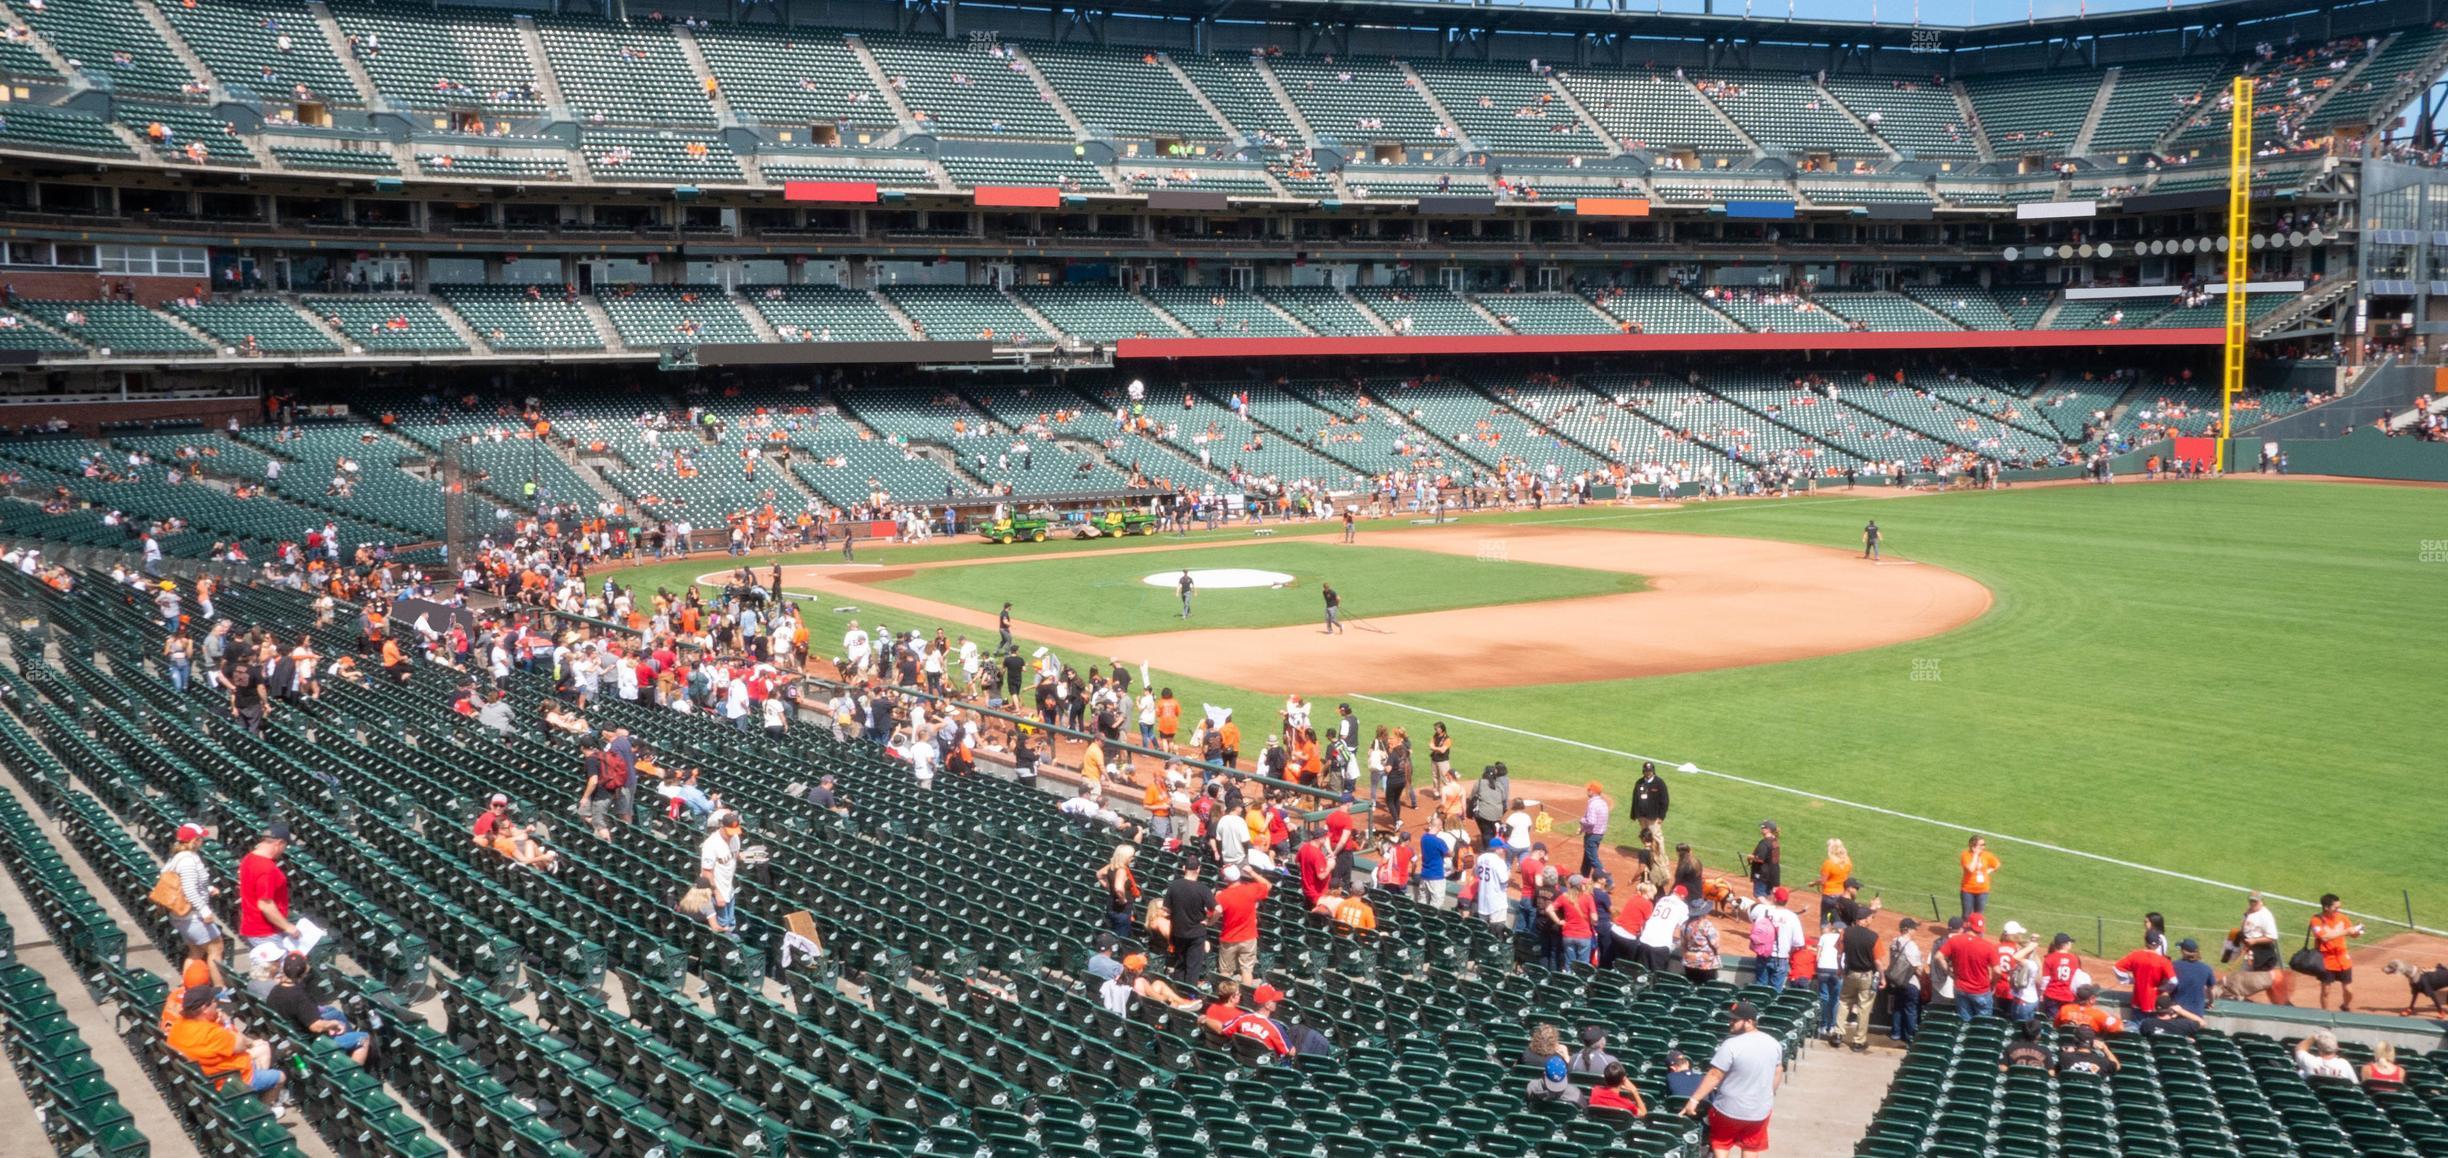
[{"x": 1108, "y": 594}]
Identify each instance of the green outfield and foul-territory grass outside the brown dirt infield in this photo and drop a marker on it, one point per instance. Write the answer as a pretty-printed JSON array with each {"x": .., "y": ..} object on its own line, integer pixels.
[{"x": 2219, "y": 679}]
